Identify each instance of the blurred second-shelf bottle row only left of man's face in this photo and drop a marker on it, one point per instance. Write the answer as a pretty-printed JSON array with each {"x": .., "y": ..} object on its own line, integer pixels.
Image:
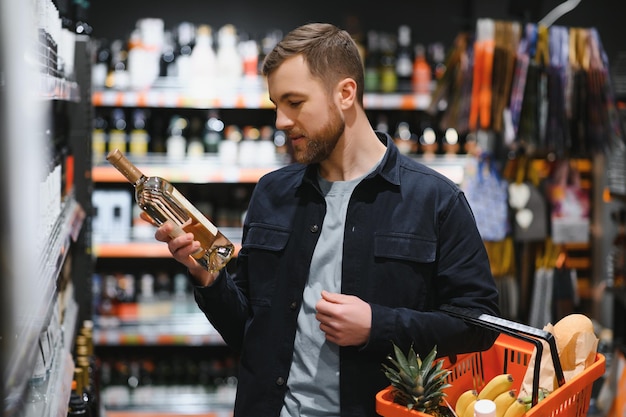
[{"x": 186, "y": 138}]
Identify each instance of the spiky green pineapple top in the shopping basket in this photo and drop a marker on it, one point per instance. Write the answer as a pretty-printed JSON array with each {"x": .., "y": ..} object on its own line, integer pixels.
[{"x": 418, "y": 384}]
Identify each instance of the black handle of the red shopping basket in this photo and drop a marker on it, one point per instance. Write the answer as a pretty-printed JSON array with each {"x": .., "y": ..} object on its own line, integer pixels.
[{"x": 518, "y": 330}]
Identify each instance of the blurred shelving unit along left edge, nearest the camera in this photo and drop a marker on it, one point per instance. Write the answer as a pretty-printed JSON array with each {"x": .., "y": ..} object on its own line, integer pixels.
[{"x": 44, "y": 269}]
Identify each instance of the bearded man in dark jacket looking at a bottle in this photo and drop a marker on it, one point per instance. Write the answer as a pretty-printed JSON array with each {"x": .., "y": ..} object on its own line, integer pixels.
[{"x": 351, "y": 248}]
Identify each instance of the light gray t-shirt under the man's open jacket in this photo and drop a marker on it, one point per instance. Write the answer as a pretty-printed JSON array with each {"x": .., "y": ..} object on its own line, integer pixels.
[{"x": 313, "y": 384}]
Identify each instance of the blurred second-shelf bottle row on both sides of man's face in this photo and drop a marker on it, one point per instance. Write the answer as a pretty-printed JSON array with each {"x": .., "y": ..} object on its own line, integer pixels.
[{"x": 186, "y": 137}]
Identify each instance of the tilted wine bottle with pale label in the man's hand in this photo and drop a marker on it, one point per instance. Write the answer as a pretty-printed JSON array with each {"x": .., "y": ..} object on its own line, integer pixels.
[{"x": 163, "y": 203}]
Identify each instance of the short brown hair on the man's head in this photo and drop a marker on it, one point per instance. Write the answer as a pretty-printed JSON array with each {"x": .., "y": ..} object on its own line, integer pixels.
[{"x": 330, "y": 53}]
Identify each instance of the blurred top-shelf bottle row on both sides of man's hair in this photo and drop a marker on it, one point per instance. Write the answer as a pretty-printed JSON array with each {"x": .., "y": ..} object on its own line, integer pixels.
[{"x": 211, "y": 62}]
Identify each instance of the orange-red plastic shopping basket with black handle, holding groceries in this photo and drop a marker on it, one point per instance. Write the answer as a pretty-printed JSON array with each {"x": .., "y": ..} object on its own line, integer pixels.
[{"x": 511, "y": 353}]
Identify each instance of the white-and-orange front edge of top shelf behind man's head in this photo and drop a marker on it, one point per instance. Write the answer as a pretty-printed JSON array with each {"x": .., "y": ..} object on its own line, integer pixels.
[{"x": 178, "y": 98}]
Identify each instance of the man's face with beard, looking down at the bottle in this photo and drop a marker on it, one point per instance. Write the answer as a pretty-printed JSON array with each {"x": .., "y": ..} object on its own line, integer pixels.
[{"x": 308, "y": 116}]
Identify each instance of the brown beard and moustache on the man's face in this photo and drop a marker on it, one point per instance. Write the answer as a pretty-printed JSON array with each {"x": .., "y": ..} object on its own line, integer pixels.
[{"x": 320, "y": 144}]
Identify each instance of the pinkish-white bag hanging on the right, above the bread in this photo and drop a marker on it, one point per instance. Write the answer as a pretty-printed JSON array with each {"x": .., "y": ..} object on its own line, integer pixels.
[{"x": 569, "y": 204}]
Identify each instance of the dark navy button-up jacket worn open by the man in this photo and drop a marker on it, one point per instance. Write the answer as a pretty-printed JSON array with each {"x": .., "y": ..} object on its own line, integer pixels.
[{"x": 410, "y": 245}]
